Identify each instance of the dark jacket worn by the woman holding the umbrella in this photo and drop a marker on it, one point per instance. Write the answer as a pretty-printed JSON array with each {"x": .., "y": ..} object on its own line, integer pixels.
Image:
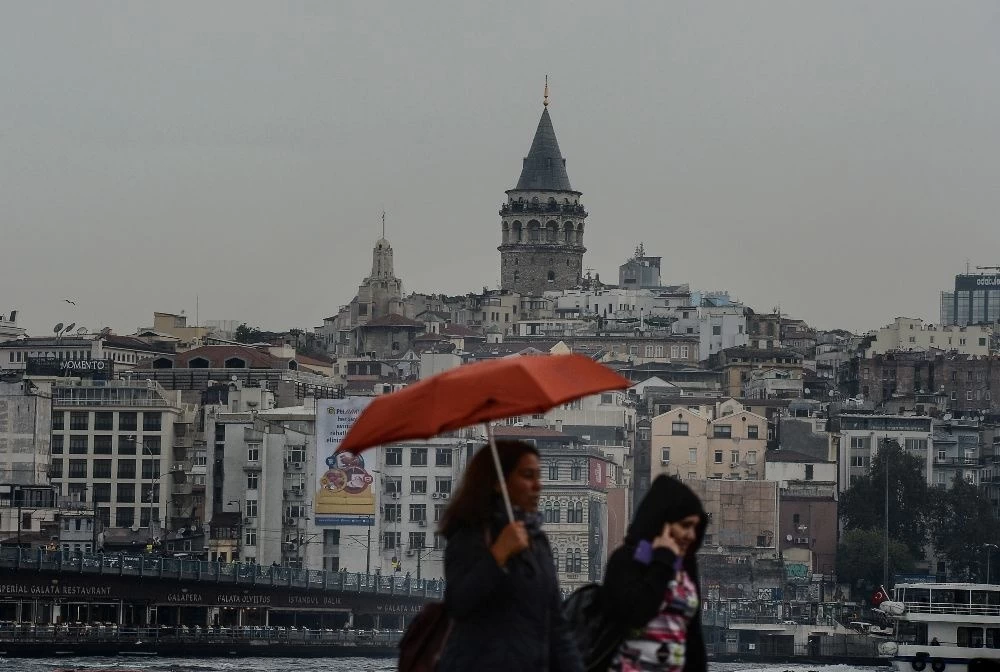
[{"x": 504, "y": 620}]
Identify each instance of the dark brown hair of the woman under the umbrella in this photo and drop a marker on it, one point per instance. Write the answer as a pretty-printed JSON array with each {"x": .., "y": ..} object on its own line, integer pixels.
[{"x": 473, "y": 503}]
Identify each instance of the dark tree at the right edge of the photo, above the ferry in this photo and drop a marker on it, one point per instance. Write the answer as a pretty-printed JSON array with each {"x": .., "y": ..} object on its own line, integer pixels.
[{"x": 962, "y": 523}]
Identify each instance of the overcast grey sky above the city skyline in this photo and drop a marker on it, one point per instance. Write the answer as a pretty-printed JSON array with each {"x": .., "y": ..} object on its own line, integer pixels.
[{"x": 840, "y": 159}]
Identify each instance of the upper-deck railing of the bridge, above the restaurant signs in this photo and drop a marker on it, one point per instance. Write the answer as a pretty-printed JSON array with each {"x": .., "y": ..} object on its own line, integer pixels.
[{"x": 125, "y": 564}]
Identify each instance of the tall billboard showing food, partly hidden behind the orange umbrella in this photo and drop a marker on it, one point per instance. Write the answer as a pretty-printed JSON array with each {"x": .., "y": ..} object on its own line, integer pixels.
[{"x": 345, "y": 492}]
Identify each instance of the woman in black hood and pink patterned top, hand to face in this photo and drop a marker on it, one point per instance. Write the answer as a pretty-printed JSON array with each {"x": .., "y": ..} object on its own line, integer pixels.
[{"x": 651, "y": 584}]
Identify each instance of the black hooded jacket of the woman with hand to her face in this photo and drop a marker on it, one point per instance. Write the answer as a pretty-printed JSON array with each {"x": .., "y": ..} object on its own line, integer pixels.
[{"x": 633, "y": 589}]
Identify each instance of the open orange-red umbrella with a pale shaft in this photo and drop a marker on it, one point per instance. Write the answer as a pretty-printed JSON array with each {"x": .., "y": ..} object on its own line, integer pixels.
[{"x": 478, "y": 394}]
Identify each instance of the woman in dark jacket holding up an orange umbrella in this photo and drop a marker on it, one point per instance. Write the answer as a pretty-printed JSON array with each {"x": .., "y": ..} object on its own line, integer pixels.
[{"x": 501, "y": 592}]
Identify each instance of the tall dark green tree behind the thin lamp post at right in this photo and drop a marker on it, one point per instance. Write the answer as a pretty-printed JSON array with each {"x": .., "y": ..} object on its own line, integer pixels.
[{"x": 862, "y": 506}]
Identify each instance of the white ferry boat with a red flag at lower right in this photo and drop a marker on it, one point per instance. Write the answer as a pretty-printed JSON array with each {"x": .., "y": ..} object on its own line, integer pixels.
[{"x": 942, "y": 627}]
